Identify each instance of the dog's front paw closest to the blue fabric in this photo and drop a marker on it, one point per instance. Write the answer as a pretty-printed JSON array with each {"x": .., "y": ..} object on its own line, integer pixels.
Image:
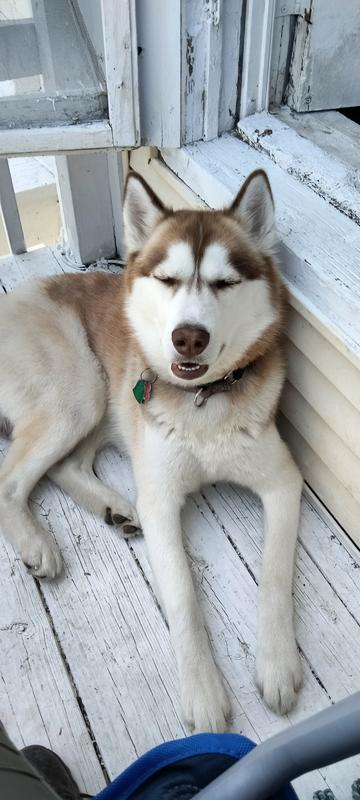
[{"x": 205, "y": 703}]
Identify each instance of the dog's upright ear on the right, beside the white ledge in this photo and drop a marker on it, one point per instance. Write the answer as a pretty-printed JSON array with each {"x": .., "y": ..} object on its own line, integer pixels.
[{"x": 254, "y": 208}]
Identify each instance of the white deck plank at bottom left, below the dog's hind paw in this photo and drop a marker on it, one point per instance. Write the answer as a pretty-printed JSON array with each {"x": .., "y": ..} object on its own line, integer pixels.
[{"x": 37, "y": 699}]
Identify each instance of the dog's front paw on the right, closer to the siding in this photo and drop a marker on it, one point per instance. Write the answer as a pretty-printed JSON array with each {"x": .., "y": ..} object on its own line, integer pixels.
[{"x": 279, "y": 676}]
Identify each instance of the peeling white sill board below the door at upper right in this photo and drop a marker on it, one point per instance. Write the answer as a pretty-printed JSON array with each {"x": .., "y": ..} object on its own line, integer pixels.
[{"x": 327, "y": 176}]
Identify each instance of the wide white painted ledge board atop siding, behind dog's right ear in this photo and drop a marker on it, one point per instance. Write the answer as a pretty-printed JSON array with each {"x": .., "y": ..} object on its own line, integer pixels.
[{"x": 320, "y": 247}]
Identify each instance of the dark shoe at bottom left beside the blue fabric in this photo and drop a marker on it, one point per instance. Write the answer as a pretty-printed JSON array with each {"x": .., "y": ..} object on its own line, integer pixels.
[{"x": 53, "y": 770}]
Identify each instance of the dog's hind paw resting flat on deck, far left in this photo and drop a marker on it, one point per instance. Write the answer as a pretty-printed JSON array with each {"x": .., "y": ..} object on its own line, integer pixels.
[{"x": 41, "y": 556}]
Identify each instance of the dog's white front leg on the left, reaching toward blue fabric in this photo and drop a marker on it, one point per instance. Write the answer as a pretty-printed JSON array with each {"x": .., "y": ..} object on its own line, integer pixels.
[{"x": 160, "y": 497}]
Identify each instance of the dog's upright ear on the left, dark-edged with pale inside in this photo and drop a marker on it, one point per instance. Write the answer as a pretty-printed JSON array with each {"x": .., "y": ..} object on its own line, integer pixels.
[{"x": 142, "y": 212}]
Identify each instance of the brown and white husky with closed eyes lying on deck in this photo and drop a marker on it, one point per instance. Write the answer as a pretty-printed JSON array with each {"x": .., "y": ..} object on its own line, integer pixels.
[{"x": 193, "y": 329}]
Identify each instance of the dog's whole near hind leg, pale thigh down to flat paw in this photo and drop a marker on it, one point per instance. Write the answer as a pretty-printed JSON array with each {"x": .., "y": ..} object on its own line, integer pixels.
[{"x": 54, "y": 393}]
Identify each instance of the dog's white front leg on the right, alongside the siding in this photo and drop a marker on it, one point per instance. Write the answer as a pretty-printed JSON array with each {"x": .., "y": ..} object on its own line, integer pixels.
[{"x": 278, "y": 663}]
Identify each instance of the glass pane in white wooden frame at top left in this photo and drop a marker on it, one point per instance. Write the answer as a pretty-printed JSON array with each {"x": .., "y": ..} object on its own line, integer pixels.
[{"x": 49, "y": 74}]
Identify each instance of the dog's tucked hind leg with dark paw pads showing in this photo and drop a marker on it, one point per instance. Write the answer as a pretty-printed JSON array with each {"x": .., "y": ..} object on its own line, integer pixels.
[{"x": 75, "y": 475}]
